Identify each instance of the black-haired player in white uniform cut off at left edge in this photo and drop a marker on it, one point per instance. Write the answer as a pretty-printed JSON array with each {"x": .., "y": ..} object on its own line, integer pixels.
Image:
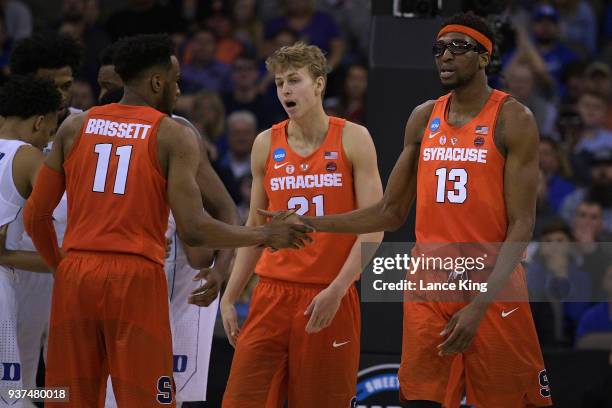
[{"x": 29, "y": 108}]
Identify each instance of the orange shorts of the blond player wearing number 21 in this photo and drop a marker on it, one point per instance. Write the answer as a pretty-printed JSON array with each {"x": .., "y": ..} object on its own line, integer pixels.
[{"x": 276, "y": 360}]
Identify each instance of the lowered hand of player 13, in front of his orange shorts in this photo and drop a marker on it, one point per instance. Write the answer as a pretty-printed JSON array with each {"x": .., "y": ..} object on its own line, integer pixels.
[{"x": 462, "y": 328}]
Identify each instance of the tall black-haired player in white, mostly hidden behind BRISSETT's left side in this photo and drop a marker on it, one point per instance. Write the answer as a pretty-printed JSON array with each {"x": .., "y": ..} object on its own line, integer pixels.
[{"x": 57, "y": 58}]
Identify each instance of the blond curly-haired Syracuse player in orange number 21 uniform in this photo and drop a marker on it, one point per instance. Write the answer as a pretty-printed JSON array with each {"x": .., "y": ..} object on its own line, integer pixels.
[{"x": 305, "y": 308}]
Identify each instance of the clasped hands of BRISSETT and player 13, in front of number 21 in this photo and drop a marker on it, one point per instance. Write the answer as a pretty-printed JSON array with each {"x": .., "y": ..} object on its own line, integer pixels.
[{"x": 285, "y": 229}]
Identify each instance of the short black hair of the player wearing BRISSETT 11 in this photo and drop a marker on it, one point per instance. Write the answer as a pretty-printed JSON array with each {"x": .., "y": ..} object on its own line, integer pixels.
[{"x": 133, "y": 55}]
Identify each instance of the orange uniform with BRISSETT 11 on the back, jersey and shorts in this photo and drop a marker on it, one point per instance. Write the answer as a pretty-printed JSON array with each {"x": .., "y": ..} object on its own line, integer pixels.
[{"x": 109, "y": 310}]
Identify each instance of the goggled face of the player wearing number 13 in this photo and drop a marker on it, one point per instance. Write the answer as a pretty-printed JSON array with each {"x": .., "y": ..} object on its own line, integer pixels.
[{"x": 460, "y": 64}]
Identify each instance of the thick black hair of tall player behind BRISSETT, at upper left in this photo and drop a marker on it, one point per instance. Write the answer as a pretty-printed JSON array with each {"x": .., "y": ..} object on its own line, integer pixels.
[{"x": 47, "y": 51}]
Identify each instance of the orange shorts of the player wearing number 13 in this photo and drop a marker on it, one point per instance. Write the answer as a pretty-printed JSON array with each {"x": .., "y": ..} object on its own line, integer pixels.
[{"x": 502, "y": 368}]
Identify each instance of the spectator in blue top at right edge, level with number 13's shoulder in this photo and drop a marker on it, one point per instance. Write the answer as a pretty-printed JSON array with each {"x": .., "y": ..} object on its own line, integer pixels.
[{"x": 593, "y": 108}]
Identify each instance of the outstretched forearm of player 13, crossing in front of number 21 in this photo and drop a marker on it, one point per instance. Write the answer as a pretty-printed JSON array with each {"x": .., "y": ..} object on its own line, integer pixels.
[{"x": 363, "y": 221}]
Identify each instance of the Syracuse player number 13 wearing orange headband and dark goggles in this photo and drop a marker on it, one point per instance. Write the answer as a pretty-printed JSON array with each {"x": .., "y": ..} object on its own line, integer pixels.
[{"x": 465, "y": 200}]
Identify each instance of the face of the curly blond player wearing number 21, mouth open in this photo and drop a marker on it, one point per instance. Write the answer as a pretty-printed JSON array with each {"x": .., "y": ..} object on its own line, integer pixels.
[{"x": 297, "y": 91}]
